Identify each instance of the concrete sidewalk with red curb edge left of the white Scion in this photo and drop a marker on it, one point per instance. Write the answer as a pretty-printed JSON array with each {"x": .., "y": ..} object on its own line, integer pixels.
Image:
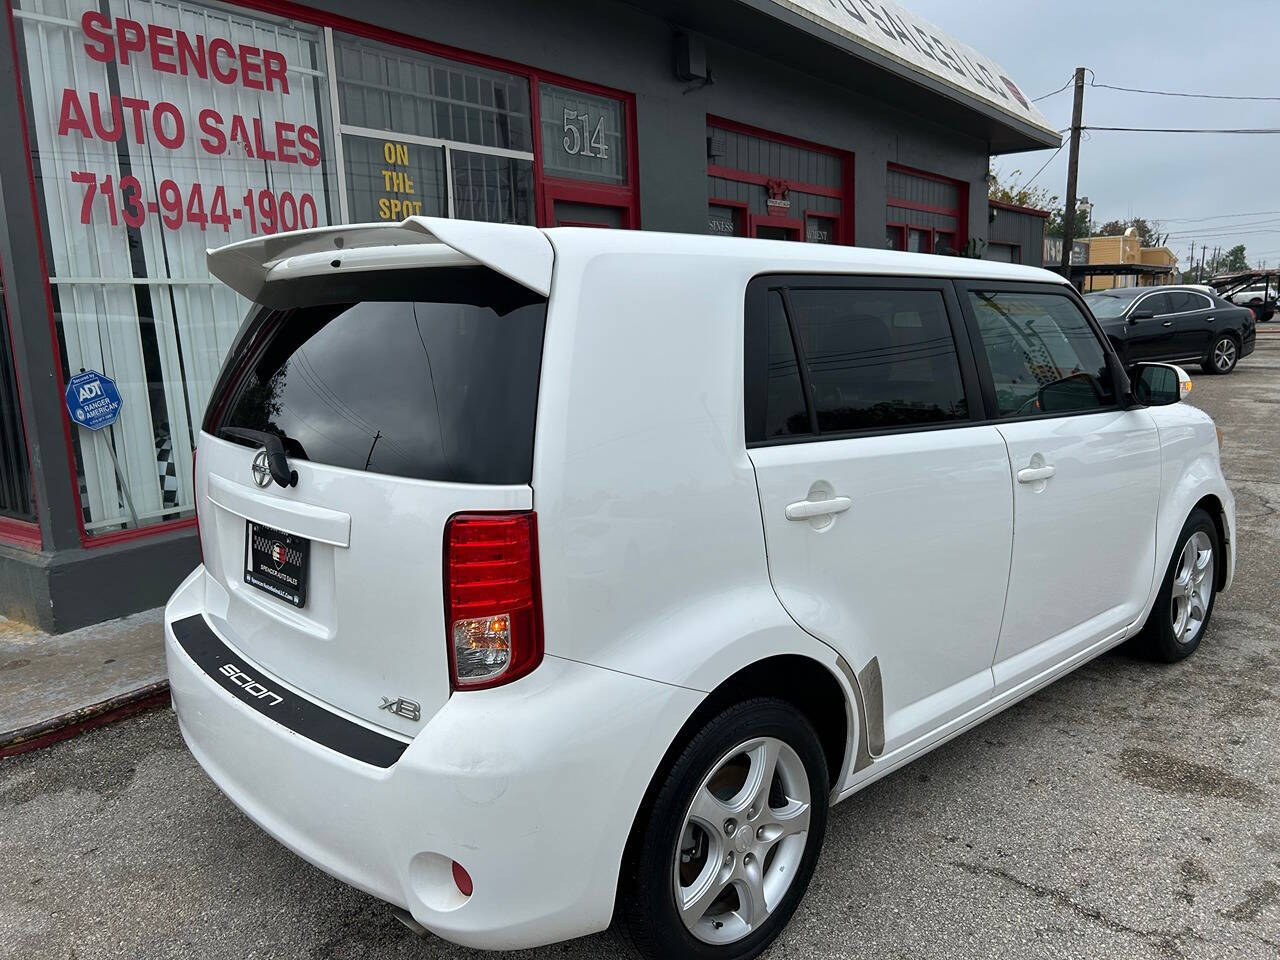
[{"x": 53, "y": 688}]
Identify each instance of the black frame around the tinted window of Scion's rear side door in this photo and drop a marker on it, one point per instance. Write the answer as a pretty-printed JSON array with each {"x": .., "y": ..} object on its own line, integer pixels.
[{"x": 756, "y": 353}]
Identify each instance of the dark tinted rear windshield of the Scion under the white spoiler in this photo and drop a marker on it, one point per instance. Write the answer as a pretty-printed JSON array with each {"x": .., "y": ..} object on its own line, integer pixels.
[{"x": 428, "y": 374}]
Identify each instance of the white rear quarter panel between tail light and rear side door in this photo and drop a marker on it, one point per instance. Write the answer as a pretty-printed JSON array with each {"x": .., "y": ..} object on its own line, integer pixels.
[{"x": 650, "y": 524}]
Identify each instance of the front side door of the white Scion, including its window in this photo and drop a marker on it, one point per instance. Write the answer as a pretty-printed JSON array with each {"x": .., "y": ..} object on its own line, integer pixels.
[{"x": 1087, "y": 478}]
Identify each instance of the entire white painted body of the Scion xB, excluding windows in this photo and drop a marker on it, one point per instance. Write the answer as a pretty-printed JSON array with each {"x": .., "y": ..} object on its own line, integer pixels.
[{"x": 945, "y": 595}]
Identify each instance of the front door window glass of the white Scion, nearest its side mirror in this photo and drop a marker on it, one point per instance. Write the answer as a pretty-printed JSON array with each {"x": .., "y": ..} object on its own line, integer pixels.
[{"x": 1044, "y": 355}]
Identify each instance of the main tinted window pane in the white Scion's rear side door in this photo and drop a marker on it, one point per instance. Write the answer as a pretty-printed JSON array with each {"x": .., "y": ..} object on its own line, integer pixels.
[{"x": 879, "y": 358}]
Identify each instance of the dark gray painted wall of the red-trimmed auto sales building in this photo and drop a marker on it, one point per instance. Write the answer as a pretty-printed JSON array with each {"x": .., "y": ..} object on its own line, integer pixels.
[{"x": 611, "y": 44}]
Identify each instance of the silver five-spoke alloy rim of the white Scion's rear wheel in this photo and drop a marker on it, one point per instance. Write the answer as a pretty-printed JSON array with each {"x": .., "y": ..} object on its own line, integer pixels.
[{"x": 743, "y": 839}]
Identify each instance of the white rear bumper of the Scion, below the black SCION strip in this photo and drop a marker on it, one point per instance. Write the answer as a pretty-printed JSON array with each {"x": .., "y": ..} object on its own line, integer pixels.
[{"x": 533, "y": 788}]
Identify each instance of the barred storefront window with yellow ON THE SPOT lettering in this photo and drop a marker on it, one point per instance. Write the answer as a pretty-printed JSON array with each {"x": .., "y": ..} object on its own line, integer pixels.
[{"x": 435, "y": 138}]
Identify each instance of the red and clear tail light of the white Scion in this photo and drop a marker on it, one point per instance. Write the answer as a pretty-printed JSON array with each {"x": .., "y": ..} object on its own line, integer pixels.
[{"x": 492, "y": 598}]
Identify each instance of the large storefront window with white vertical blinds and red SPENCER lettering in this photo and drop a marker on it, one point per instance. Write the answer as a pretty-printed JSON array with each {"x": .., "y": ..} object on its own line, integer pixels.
[{"x": 161, "y": 130}]
